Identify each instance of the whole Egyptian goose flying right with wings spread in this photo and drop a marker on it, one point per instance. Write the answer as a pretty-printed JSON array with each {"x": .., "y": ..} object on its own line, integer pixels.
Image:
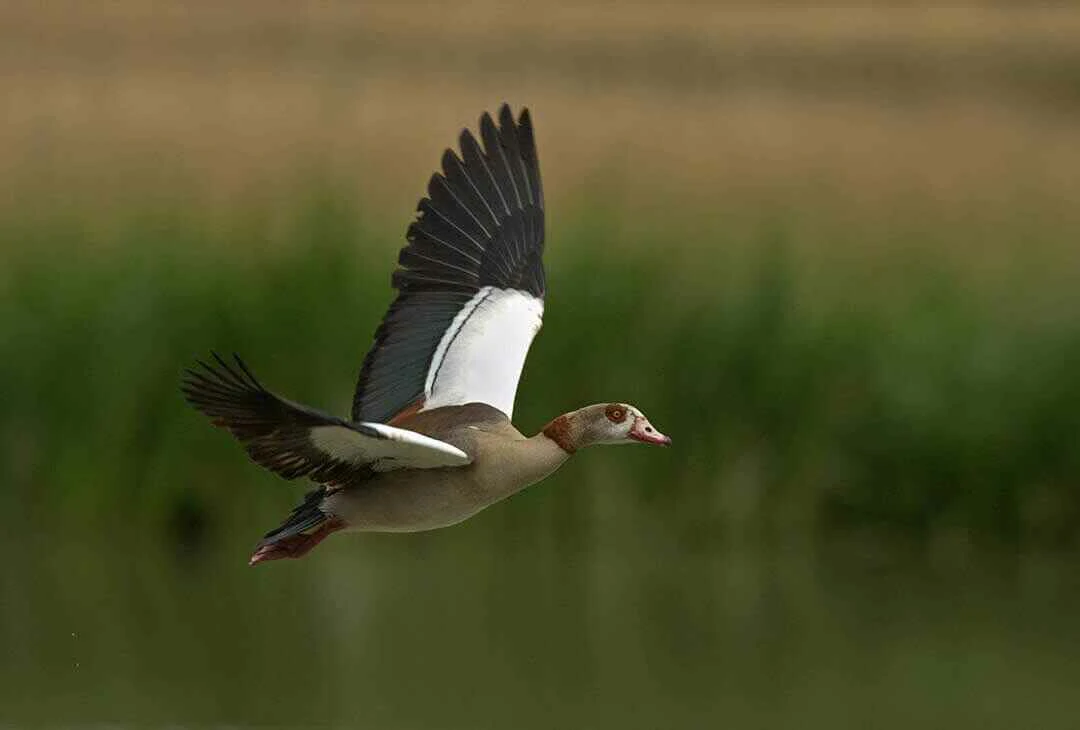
[{"x": 430, "y": 442}]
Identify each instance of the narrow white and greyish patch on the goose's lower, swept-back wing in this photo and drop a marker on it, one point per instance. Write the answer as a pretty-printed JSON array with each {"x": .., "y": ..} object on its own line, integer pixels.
[{"x": 395, "y": 449}]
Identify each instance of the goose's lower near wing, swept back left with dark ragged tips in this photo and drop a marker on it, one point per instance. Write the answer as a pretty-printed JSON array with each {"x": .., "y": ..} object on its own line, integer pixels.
[{"x": 296, "y": 441}]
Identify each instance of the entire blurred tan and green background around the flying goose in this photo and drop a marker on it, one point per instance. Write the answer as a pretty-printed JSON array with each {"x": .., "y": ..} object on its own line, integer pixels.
[{"x": 833, "y": 254}]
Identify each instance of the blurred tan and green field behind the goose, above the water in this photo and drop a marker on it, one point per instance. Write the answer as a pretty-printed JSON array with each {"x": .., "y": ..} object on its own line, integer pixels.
[{"x": 857, "y": 266}]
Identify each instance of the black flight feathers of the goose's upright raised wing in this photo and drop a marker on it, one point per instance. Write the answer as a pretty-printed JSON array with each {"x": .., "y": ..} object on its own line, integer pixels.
[{"x": 481, "y": 225}]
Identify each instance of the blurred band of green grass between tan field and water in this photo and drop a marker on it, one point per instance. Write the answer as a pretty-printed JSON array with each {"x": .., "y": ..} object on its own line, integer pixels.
[{"x": 803, "y": 400}]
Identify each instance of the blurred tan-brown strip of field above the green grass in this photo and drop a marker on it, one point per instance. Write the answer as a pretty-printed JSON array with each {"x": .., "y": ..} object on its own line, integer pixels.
[{"x": 861, "y": 112}]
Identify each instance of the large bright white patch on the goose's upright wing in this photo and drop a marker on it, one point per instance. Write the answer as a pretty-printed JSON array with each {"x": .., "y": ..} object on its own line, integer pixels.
[{"x": 481, "y": 356}]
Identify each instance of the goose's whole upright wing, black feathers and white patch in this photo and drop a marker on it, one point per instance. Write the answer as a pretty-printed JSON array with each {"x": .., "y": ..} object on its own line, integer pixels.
[{"x": 470, "y": 283}]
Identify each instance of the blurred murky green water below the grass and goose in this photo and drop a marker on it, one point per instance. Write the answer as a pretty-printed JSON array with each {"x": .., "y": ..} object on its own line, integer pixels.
[{"x": 470, "y": 628}]
